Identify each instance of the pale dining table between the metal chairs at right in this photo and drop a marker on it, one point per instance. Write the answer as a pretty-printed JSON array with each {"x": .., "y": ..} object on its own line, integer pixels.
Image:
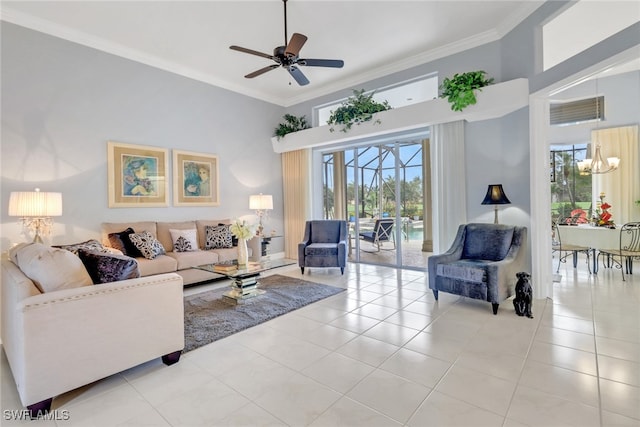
[{"x": 593, "y": 237}]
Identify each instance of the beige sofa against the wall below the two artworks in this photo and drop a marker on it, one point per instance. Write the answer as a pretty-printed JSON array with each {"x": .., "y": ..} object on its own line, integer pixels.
[{"x": 179, "y": 262}]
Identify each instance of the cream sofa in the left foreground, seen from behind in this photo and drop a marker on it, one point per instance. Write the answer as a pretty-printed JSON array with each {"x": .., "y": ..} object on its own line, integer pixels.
[{"x": 59, "y": 340}]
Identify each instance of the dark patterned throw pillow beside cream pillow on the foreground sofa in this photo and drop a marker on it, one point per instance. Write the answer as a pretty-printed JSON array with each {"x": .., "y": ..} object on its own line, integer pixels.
[{"x": 105, "y": 268}]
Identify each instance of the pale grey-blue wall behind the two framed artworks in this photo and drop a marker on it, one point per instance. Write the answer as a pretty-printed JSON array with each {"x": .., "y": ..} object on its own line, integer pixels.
[{"x": 62, "y": 102}]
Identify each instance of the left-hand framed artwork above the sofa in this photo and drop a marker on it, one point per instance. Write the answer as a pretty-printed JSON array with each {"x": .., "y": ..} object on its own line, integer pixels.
[{"x": 137, "y": 175}]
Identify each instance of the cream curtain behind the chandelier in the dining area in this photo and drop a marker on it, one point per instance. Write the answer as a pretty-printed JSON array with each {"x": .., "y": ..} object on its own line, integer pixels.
[{"x": 622, "y": 186}]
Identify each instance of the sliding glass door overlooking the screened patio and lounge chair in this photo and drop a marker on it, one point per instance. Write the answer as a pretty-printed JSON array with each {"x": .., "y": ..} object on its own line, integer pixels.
[{"x": 379, "y": 189}]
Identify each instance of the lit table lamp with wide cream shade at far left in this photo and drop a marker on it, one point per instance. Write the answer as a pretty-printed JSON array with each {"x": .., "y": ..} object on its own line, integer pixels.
[{"x": 36, "y": 208}]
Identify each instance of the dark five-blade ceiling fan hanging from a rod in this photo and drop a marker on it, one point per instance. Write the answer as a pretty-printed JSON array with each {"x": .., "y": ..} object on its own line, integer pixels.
[{"x": 287, "y": 56}]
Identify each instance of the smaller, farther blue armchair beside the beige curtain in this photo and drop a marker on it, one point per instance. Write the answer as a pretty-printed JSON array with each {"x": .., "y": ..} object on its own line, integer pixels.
[{"x": 324, "y": 245}]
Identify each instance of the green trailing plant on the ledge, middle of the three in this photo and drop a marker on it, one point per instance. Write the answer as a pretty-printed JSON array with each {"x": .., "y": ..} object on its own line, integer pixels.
[{"x": 356, "y": 109}]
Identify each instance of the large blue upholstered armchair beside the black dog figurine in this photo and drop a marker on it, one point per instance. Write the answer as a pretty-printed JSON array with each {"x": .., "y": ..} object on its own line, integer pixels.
[{"x": 482, "y": 263}]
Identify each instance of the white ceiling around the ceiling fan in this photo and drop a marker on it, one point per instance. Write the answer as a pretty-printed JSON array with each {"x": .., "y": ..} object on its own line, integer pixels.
[{"x": 192, "y": 38}]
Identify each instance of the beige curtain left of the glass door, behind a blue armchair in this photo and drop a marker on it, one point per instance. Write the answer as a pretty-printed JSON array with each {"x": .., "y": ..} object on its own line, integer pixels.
[{"x": 296, "y": 171}]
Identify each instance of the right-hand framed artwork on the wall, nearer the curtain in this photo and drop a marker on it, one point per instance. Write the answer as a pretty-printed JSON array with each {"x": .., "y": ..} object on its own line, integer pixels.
[{"x": 195, "y": 179}]
